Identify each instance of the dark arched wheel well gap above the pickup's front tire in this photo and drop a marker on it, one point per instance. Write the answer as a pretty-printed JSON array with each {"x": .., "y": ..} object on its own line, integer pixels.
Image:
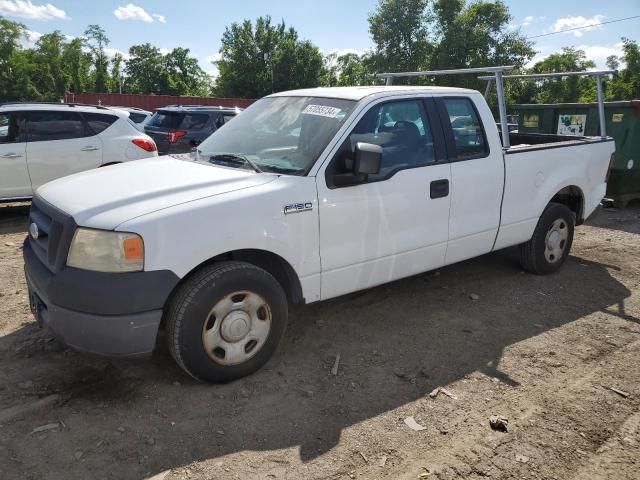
[{"x": 277, "y": 266}]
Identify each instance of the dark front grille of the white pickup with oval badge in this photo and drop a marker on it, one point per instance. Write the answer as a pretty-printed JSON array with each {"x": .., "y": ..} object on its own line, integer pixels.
[{"x": 55, "y": 232}]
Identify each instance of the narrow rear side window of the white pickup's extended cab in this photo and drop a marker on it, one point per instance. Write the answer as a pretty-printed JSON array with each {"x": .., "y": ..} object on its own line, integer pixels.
[{"x": 468, "y": 135}]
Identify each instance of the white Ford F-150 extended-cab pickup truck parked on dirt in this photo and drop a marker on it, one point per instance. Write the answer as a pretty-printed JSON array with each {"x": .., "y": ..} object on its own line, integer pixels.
[{"x": 305, "y": 196}]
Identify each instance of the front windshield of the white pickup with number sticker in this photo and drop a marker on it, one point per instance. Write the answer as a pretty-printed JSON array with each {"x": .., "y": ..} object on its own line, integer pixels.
[{"x": 278, "y": 134}]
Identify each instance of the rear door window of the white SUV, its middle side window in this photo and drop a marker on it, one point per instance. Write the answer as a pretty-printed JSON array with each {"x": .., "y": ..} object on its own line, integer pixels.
[{"x": 44, "y": 126}]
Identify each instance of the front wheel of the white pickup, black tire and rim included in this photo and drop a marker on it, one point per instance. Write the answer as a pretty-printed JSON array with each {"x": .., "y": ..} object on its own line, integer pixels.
[{"x": 226, "y": 321}]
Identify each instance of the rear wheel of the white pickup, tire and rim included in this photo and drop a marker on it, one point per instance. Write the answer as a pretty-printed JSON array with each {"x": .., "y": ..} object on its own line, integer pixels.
[{"x": 551, "y": 242}]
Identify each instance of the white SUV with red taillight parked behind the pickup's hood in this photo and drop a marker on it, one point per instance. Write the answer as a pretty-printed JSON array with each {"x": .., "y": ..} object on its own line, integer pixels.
[{"x": 42, "y": 142}]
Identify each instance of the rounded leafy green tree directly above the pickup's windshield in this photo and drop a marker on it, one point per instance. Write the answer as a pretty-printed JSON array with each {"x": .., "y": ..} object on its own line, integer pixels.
[{"x": 256, "y": 61}]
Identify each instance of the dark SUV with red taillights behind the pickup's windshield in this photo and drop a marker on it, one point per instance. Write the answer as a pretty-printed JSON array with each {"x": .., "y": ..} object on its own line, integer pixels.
[{"x": 179, "y": 128}]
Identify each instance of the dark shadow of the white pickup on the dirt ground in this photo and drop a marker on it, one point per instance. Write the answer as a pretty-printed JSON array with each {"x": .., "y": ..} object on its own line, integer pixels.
[{"x": 396, "y": 343}]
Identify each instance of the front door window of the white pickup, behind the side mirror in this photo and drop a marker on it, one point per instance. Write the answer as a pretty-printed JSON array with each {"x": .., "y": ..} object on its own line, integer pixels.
[{"x": 402, "y": 130}]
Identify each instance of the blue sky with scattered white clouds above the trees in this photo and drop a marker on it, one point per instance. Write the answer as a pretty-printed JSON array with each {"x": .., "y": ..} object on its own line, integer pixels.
[{"x": 332, "y": 25}]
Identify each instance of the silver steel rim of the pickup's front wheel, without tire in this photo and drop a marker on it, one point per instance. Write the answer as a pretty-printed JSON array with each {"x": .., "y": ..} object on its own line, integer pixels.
[{"x": 236, "y": 328}]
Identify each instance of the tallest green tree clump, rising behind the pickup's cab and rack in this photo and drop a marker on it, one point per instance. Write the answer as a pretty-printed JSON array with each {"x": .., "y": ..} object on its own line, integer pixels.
[{"x": 411, "y": 35}]
